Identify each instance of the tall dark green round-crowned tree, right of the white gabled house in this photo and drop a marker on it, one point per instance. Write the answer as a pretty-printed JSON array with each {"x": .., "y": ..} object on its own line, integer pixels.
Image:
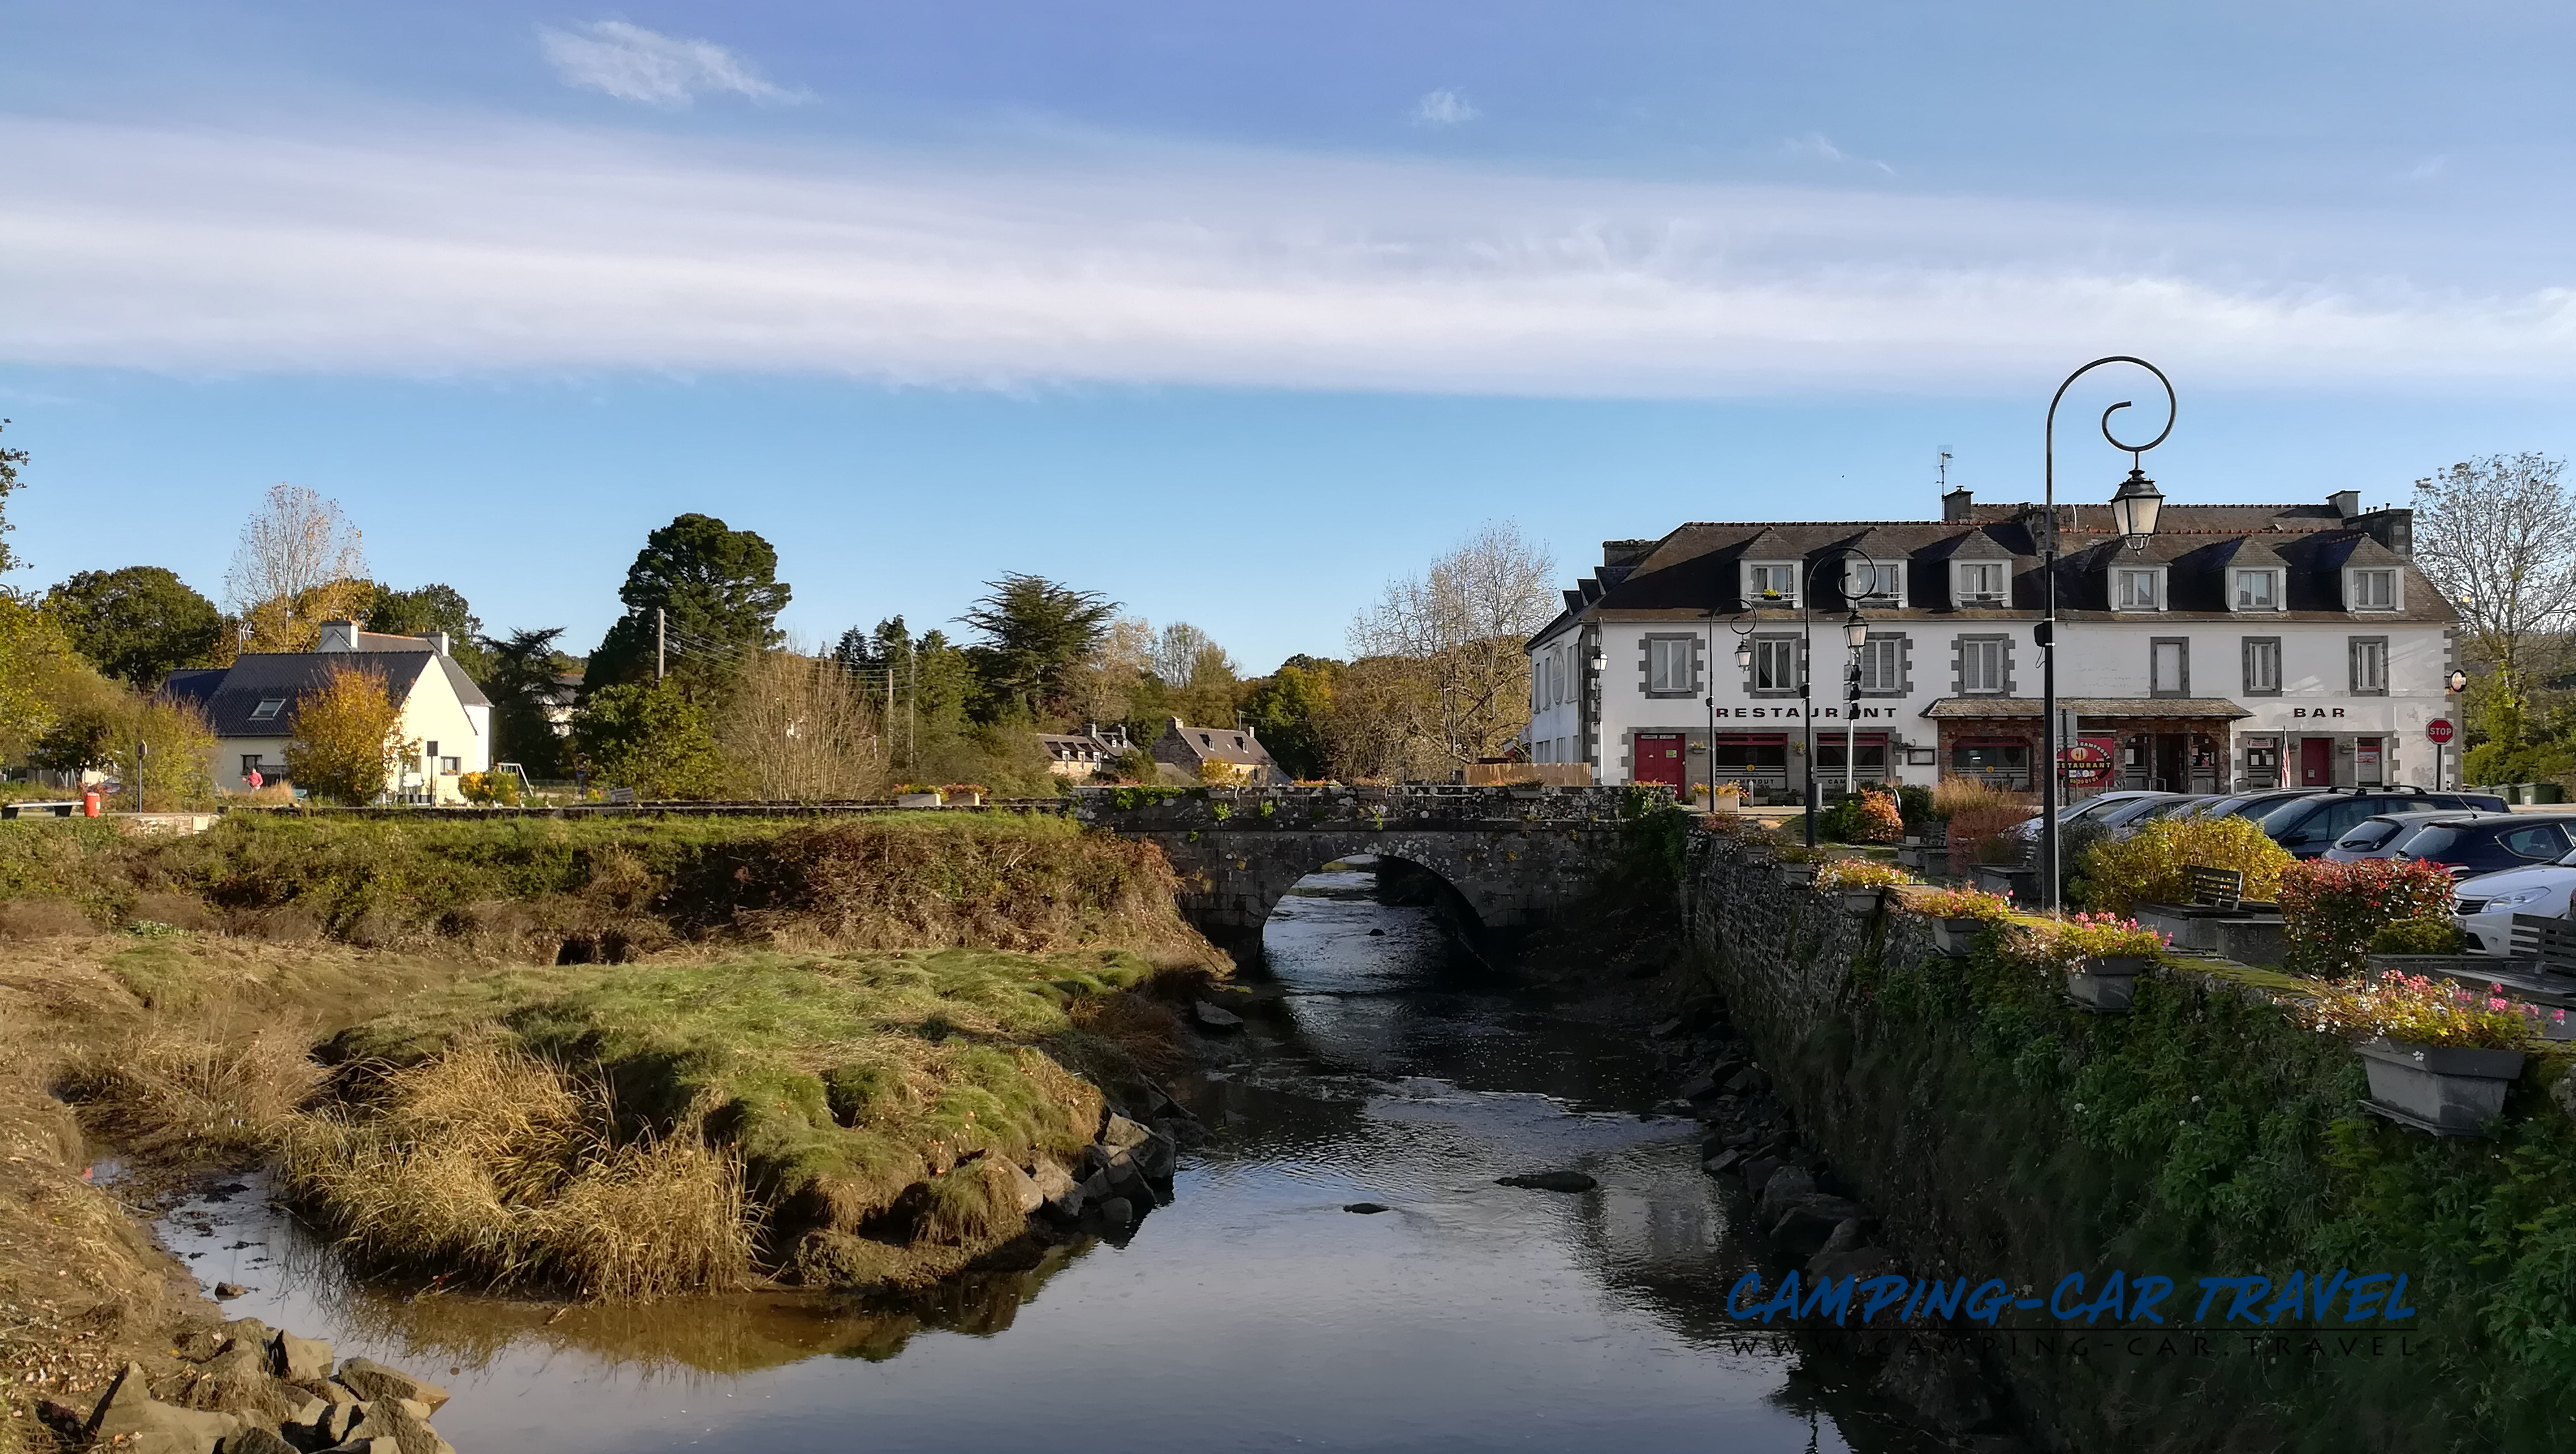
[{"x": 720, "y": 596}]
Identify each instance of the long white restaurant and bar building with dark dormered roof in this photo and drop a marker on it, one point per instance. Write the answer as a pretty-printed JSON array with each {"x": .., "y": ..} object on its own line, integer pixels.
[{"x": 2248, "y": 645}]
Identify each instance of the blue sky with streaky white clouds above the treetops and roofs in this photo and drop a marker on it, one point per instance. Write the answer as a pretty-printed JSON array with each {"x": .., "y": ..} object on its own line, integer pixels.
[{"x": 1235, "y": 310}]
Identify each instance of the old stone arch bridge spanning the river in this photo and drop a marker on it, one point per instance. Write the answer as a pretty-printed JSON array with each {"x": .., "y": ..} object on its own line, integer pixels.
[{"x": 1516, "y": 856}]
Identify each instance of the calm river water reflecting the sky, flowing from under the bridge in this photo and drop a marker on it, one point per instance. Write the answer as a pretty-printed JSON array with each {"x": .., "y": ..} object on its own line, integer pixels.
[{"x": 1253, "y": 1314}]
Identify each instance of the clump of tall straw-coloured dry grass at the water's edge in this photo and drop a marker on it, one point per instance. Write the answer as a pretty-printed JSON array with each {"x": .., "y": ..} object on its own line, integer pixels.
[{"x": 504, "y": 1170}]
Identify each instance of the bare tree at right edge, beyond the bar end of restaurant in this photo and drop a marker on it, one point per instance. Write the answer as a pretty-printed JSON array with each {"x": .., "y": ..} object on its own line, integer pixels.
[{"x": 2497, "y": 537}]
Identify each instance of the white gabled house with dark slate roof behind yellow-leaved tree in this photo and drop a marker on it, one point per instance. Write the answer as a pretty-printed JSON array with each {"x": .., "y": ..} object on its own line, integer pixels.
[{"x": 254, "y": 709}]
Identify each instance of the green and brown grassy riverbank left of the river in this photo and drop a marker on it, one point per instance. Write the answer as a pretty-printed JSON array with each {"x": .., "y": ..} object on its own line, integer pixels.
[{"x": 815, "y": 1054}]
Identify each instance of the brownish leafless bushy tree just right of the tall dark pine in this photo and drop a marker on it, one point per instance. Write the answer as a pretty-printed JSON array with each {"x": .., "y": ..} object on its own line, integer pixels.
[{"x": 802, "y": 730}]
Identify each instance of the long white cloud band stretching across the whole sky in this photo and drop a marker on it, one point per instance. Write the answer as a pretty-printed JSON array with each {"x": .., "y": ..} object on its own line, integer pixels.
[{"x": 560, "y": 251}]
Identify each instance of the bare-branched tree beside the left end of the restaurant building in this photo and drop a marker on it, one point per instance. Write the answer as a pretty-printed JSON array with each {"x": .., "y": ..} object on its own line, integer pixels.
[{"x": 1462, "y": 634}]
